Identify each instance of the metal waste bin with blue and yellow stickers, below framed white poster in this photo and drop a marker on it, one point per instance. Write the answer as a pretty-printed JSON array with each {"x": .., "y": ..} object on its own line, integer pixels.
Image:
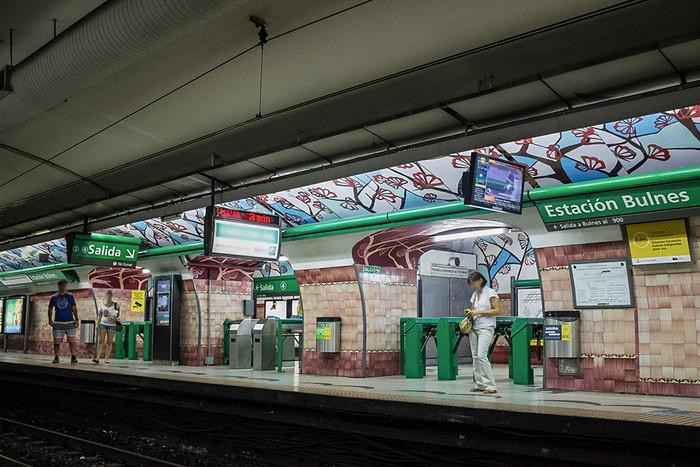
[{"x": 562, "y": 334}]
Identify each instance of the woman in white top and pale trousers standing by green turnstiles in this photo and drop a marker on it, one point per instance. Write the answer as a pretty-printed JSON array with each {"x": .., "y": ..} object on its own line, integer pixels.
[{"x": 484, "y": 308}]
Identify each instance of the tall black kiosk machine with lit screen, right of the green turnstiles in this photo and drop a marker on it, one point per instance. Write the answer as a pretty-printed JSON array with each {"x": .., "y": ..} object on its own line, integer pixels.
[{"x": 166, "y": 318}]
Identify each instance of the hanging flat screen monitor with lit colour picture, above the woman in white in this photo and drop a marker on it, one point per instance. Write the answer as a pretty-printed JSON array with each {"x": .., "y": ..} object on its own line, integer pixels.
[{"x": 494, "y": 184}]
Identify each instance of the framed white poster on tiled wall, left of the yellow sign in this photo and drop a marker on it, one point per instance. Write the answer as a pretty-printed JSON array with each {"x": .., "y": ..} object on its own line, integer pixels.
[{"x": 602, "y": 283}]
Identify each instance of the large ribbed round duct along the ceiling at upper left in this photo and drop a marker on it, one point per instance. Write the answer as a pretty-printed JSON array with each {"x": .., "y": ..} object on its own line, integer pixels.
[{"x": 112, "y": 37}]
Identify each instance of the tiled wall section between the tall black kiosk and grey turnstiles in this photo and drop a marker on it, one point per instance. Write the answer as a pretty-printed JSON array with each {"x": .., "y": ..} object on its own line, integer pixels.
[{"x": 226, "y": 303}]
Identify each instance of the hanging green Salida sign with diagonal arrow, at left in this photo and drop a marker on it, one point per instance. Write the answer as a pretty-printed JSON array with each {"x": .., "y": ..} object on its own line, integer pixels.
[{"x": 102, "y": 250}]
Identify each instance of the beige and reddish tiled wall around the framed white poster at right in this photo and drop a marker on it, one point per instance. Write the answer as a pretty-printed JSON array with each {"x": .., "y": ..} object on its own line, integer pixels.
[{"x": 648, "y": 349}]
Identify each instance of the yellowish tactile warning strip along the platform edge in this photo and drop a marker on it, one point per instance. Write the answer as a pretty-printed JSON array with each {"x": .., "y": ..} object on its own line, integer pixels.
[{"x": 191, "y": 374}]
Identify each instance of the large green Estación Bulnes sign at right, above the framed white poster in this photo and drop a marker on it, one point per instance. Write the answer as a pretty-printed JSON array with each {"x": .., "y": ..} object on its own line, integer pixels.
[{"x": 620, "y": 207}]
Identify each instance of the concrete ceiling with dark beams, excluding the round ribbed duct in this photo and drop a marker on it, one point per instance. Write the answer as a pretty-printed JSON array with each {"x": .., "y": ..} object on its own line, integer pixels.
[{"x": 347, "y": 86}]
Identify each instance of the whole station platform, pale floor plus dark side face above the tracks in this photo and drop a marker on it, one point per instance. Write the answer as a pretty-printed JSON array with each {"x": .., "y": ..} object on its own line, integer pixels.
[{"x": 565, "y": 424}]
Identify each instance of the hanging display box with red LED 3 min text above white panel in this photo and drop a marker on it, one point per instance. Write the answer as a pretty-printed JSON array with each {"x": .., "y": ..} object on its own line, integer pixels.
[{"x": 241, "y": 234}]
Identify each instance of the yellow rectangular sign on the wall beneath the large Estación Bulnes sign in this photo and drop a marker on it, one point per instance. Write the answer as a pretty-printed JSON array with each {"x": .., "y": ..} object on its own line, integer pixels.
[{"x": 658, "y": 242}]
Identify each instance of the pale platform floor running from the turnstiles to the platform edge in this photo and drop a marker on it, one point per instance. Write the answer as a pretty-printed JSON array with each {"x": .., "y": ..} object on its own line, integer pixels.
[{"x": 527, "y": 399}]
